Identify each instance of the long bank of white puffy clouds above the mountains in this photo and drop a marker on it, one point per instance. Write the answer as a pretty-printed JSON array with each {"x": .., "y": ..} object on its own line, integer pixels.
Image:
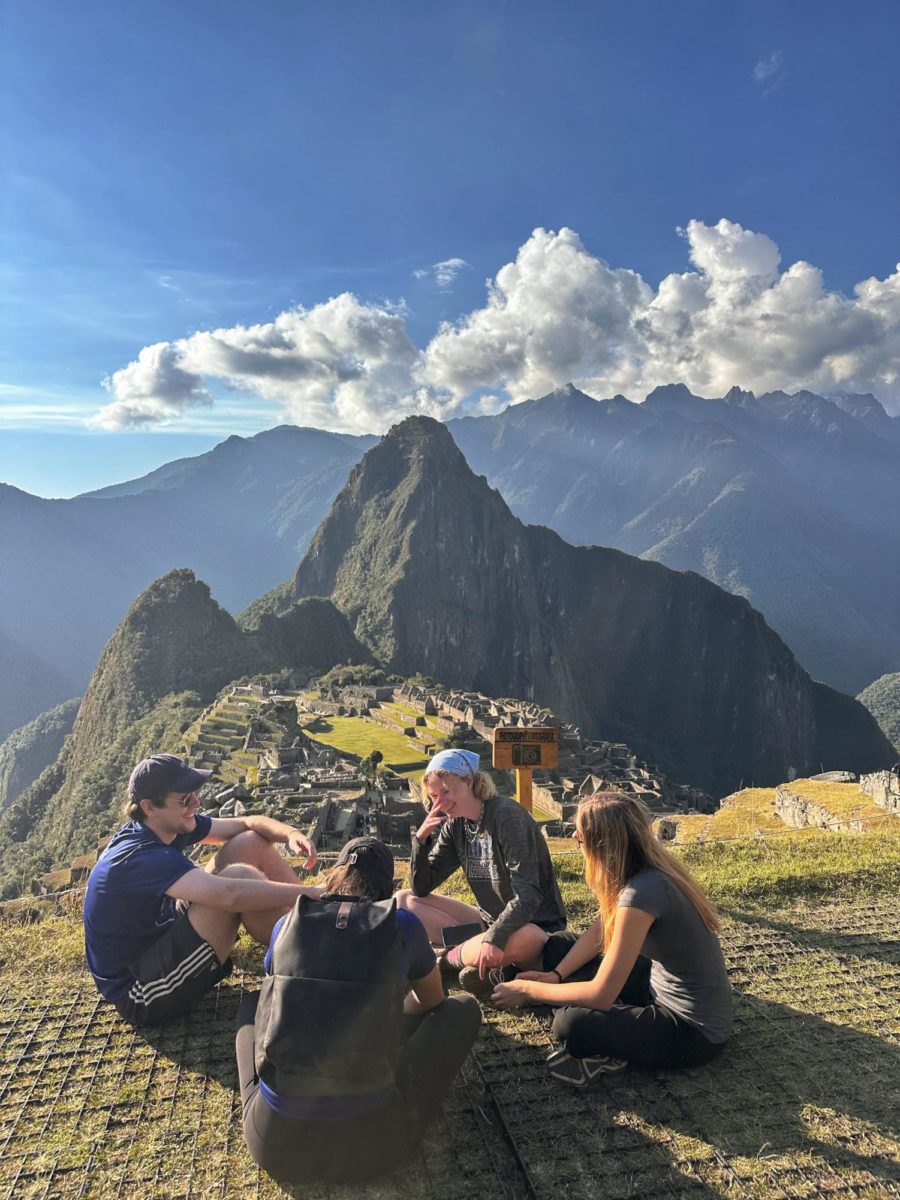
[{"x": 557, "y": 314}]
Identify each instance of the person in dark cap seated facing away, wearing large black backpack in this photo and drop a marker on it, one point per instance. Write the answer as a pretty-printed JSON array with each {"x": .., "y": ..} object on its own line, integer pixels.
[{"x": 340, "y": 1075}]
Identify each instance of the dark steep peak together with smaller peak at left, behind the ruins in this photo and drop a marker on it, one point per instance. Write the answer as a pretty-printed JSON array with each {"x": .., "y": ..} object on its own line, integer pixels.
[{"x": 422, "y": 567}]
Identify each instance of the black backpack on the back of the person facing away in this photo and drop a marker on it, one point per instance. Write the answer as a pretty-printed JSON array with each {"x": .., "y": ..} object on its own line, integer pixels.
[{"x": 329, "y": 1021}]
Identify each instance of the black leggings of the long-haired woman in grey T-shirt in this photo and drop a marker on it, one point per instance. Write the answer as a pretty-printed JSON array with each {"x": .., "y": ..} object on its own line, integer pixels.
[{"x": 637, "y": 1029}]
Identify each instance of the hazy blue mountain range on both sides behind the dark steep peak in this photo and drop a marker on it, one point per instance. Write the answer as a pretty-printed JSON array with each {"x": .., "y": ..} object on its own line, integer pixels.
[{"x": 793, "y": 502}]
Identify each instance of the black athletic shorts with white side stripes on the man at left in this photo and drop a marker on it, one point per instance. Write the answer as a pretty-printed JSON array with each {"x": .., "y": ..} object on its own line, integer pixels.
[{"x": 171, "y": 976}]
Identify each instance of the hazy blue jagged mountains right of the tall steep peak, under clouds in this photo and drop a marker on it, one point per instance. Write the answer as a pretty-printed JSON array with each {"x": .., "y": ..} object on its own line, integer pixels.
[{"x": 793, "y": 502}]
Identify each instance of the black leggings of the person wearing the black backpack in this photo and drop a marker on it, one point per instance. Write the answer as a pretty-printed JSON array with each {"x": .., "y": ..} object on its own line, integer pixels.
[{"x": 351, "y": 1150}]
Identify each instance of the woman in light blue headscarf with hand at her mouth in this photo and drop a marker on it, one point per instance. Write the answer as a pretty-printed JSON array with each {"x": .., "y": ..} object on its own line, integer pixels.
[{"x": 507, "y": 865}]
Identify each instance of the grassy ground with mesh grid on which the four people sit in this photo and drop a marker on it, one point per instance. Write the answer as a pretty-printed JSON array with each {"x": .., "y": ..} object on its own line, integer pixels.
[{"x": 806, "y": 1102}]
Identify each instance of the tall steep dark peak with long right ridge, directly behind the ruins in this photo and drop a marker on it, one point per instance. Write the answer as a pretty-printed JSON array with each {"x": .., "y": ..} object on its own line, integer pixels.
[{"x": 437, "y": 577}]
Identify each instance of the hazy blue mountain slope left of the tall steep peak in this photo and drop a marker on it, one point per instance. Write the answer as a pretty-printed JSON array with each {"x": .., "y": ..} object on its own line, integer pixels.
[{"x": 241, "y": 517}]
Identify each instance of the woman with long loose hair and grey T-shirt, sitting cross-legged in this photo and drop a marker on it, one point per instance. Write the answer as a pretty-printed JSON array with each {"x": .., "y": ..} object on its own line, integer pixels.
[{"x": 650, "y": 905}]
